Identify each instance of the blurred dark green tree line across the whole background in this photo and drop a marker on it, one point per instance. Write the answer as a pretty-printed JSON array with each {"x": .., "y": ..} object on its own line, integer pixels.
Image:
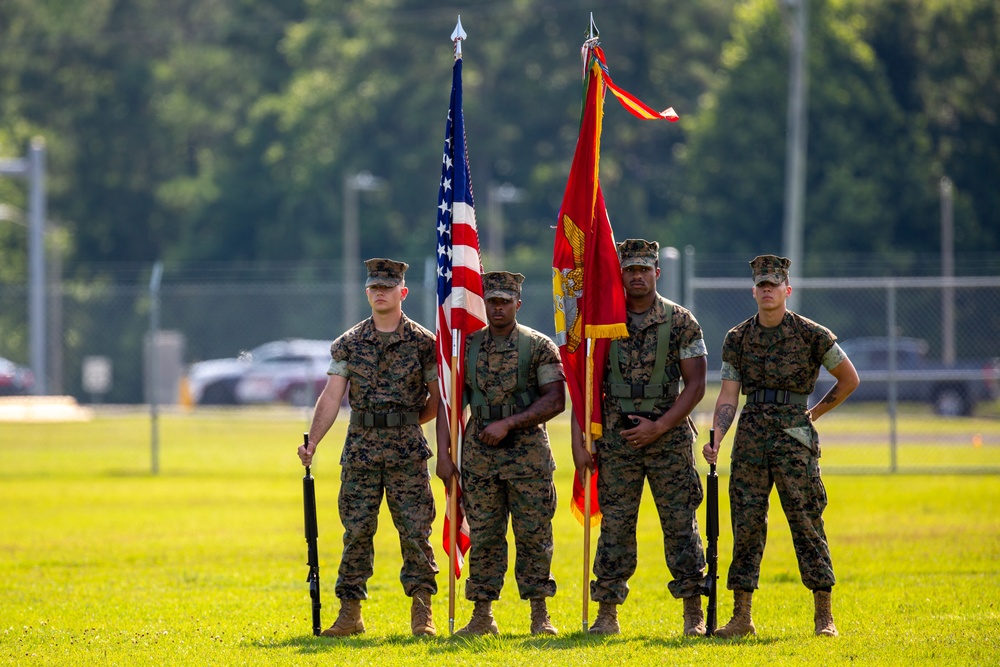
[{"x": 222, "y": 131}]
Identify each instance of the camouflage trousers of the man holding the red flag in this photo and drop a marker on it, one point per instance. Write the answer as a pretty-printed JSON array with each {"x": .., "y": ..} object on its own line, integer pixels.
[{"x": 677, "y": 492}]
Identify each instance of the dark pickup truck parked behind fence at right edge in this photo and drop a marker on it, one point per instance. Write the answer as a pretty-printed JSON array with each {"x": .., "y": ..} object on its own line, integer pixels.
[{"x": 952, "y": 390}]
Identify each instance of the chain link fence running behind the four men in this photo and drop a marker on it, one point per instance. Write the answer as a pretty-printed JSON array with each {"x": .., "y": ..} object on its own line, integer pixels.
[{"x": 951, "y": 324}]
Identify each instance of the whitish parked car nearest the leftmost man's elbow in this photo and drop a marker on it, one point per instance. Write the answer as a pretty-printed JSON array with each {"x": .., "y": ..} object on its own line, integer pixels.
[{"x": 296, "y": 377}]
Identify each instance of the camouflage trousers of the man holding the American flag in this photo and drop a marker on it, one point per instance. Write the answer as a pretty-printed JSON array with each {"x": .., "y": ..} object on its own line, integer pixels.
[{"x": 531, "y": 504}]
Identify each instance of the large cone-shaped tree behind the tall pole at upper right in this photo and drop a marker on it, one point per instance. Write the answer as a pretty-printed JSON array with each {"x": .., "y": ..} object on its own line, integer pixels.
[{"x": 868, "y": 182}]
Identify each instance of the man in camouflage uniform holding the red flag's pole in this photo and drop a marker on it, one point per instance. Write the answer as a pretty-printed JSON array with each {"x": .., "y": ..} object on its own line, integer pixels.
[{"x": 657, "y": 446}]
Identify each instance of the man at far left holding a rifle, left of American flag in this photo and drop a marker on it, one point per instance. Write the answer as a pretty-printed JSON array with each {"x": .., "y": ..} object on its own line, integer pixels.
[{"x": 387, "y": 364}]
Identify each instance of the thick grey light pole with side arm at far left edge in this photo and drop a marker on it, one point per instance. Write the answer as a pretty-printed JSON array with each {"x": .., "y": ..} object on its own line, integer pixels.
[{"x": 33, "y": 169}]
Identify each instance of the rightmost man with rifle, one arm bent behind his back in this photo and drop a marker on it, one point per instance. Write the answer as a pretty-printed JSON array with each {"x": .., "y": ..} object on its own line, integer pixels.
[{"x": 774, "y": 358}]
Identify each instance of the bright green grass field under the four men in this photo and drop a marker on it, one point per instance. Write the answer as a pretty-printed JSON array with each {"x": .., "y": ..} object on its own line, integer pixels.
[{"x": 204, "y": 564}]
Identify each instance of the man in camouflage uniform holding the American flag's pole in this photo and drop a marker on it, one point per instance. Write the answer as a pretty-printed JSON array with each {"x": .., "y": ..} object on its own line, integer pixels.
[{"x": 507, "y": 464}]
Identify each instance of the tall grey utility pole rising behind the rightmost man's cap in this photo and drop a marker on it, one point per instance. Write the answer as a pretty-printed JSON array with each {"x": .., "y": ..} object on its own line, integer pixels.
[{"x": 795, "y": 146}]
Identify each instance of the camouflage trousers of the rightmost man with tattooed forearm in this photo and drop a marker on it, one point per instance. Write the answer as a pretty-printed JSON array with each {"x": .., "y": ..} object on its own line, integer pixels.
[{"x": 765, "y": 456}]
